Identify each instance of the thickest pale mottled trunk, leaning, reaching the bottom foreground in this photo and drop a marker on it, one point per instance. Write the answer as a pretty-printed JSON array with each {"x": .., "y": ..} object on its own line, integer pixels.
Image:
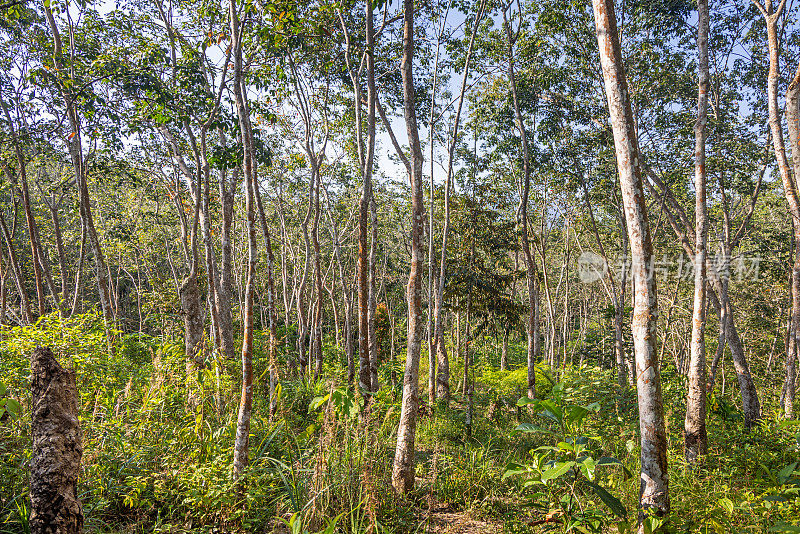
[{"x": 654, "y": 489}]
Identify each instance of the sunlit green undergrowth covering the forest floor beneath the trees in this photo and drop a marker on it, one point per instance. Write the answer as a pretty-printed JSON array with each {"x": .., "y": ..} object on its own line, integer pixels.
[{"x": 153, "y": 465}]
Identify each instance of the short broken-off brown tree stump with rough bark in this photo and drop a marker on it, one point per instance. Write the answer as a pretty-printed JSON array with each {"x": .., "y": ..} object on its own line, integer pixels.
[{"x": 57, "y": 447}]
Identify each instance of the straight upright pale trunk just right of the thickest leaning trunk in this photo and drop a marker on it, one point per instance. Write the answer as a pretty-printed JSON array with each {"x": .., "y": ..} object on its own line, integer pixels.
[{"x": 695, "y": 436}]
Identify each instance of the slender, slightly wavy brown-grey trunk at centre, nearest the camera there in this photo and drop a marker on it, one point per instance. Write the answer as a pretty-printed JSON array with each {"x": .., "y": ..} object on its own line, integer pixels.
[{"x": 403, "y": 466}]
